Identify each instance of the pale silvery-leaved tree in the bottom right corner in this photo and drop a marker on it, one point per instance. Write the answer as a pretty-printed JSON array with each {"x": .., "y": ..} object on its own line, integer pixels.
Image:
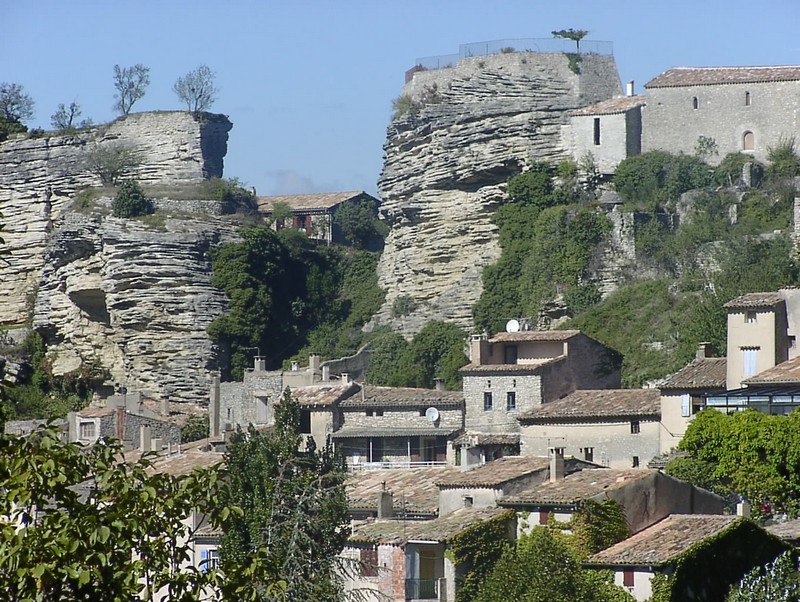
[{"x": 777, "y": 581}]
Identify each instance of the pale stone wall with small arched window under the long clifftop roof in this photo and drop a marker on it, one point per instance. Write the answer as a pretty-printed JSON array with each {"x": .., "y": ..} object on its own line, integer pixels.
[{"x": 671, "y": 122}]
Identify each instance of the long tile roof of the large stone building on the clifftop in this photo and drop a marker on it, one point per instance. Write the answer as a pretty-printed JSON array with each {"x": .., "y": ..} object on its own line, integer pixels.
[{"x": 706, "y": 76}]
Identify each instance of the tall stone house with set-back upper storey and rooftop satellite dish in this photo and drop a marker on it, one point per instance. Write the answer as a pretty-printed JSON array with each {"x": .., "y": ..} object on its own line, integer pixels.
[{"x": 514, "y": 372}]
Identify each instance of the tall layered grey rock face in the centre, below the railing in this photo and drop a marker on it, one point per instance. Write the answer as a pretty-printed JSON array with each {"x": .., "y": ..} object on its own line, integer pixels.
[{"x": 447, "y": 165}]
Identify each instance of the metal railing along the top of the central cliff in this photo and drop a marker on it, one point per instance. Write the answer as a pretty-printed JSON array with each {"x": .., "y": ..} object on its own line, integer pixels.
[{"x": 514, "y": 45}]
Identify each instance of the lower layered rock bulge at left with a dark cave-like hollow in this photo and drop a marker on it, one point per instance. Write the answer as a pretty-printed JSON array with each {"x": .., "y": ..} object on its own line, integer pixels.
[{"x": 133, "y": 300}]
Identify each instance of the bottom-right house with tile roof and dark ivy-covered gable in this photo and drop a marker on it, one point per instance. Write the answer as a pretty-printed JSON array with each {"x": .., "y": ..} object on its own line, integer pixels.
[{"x": 715, "y": 550}]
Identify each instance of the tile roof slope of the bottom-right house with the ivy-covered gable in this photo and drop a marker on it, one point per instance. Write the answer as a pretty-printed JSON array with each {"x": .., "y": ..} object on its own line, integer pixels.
[{"x": 660, "y": 543}]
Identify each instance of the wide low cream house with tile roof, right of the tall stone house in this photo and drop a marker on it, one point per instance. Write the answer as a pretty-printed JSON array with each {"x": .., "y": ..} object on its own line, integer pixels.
[{"x": 619, "y": 428}]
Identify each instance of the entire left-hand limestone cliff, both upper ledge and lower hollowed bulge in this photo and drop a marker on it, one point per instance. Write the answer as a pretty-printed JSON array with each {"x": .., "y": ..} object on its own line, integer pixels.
[{"x": 133, "y": 298}]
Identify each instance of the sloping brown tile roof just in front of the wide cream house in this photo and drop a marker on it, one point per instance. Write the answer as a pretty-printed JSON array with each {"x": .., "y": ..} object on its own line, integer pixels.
[{"x": 578, "y": 486}]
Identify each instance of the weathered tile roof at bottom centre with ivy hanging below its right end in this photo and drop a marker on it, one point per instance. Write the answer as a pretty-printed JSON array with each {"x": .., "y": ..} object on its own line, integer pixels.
[{"x": 440, "y": 529}]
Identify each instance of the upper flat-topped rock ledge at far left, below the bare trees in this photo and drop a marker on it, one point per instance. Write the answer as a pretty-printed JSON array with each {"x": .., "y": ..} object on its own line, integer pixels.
[{"x": 39, "y": 178}]
